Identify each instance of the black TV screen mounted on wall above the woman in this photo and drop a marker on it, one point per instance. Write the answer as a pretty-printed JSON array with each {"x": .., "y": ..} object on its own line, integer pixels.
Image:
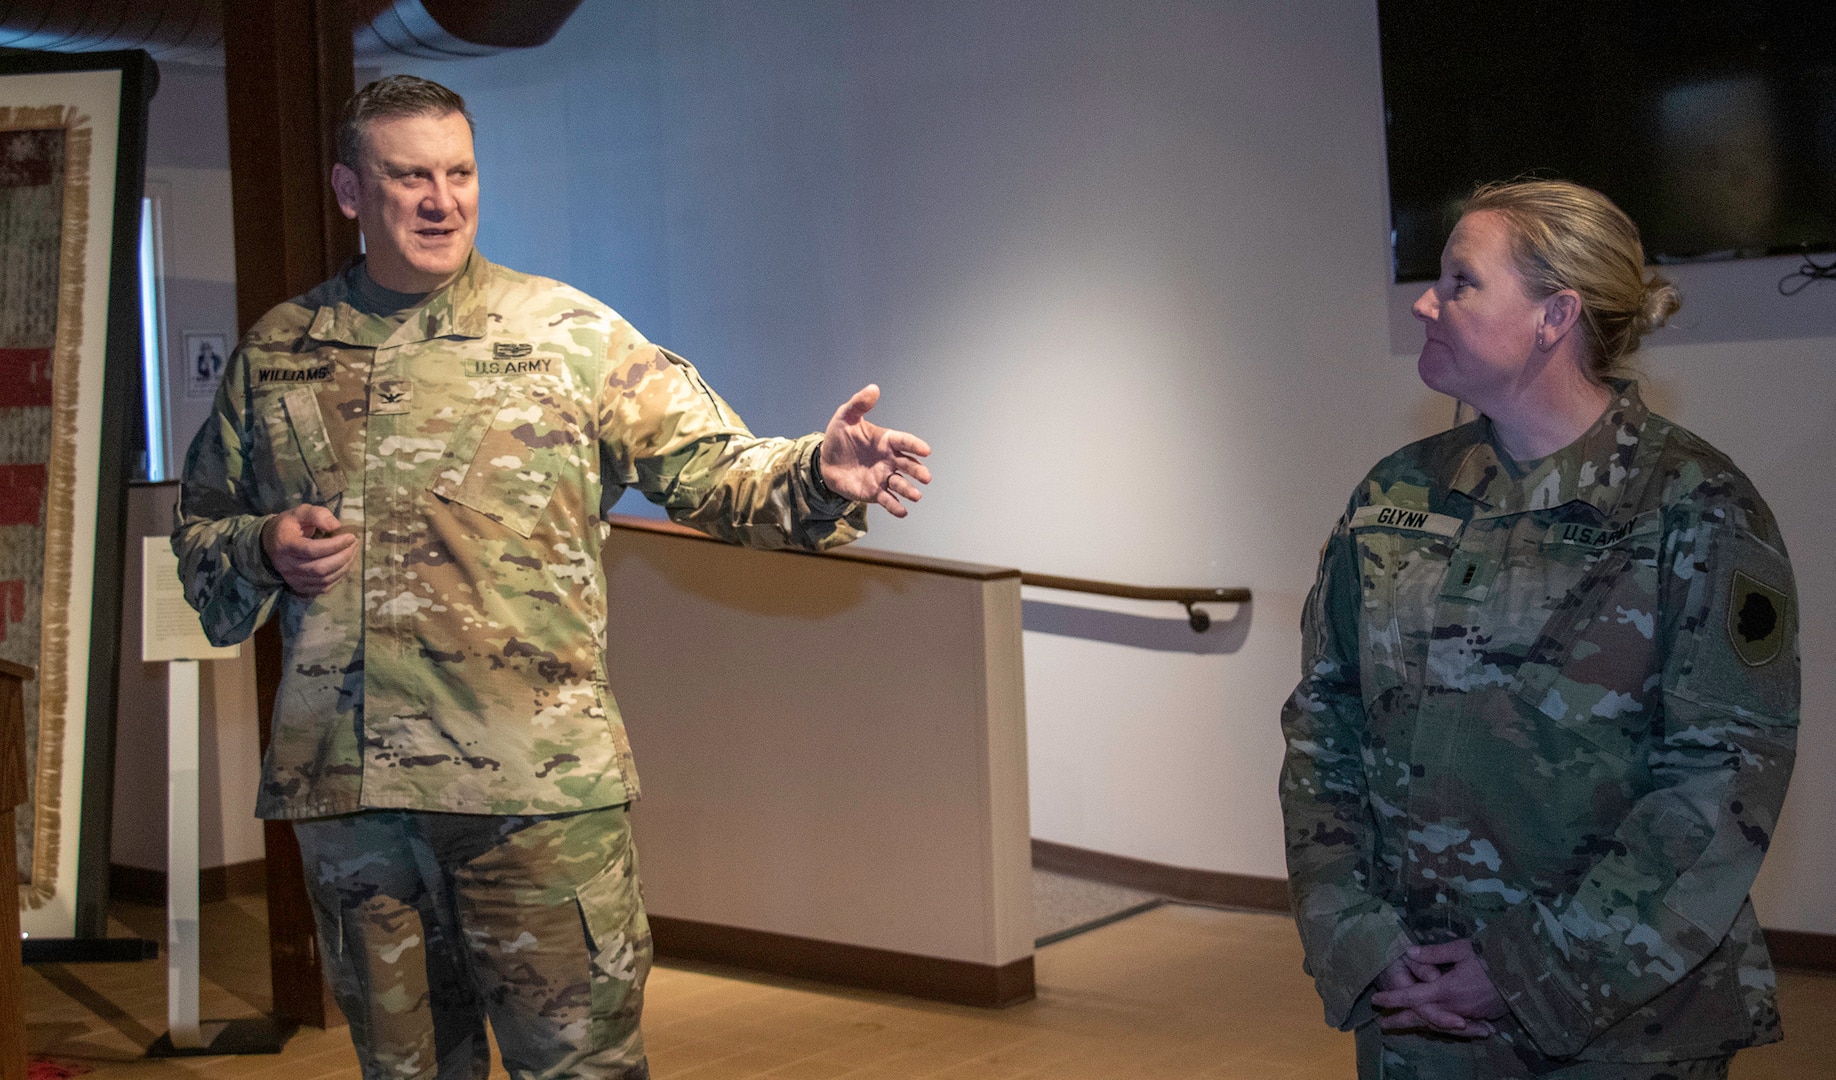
[{"x": 1710, "y": 122}]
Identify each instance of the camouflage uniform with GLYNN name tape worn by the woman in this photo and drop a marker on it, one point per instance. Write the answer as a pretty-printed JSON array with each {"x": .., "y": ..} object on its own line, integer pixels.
[{"x": 1547, "y": 721}]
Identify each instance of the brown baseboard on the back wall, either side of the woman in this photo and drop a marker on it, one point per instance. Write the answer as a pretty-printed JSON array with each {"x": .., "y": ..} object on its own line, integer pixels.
[{"x": 1791, "y": 949}]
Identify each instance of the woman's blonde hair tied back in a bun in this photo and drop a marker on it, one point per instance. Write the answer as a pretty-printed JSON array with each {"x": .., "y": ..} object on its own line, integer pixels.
[{"x": 1565, "y": 236}]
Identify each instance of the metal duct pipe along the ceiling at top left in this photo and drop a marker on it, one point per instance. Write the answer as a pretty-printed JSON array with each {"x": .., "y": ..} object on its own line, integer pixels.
[{"x": 192, "y": 30}]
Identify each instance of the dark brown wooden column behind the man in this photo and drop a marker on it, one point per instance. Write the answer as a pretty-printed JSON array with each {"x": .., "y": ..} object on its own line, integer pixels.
[{"x": 287, "y": 71}]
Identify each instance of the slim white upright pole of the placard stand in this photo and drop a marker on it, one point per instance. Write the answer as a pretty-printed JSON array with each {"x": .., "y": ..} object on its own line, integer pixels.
[{"x": 183, "y": 855}]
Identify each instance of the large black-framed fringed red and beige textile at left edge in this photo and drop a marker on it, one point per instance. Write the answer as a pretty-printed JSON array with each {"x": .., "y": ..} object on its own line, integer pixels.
[{"x": 73, "y": 157}]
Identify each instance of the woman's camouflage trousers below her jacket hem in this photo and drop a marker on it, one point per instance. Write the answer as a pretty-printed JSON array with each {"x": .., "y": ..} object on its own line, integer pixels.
[{"x": 1429, "y": 1057}]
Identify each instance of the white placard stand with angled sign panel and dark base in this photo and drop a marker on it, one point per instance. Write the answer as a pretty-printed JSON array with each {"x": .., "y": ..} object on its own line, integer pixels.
[{"x": 170, "y": 633}]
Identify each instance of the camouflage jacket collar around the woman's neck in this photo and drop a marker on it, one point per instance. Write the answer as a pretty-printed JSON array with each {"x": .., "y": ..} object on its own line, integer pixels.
[{"x": 1595, "y": 469}]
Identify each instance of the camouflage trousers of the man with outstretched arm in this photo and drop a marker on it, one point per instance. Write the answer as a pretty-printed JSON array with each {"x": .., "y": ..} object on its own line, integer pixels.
[{"x": 431, "y": 923}]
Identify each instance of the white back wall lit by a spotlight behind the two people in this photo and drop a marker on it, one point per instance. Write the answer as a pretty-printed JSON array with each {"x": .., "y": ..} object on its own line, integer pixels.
[{"x": 1126, "y": 269}]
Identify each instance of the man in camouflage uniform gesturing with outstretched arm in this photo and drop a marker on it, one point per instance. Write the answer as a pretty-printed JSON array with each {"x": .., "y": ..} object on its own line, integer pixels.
[{"x": 410, "y": 467}]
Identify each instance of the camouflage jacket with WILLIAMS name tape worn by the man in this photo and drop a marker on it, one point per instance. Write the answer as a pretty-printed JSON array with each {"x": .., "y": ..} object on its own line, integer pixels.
[{"x": 475, "y": 453}]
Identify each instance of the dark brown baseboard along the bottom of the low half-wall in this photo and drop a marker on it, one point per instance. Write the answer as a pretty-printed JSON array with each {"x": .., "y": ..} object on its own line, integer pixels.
[{"x": 779, "y": 954}]
